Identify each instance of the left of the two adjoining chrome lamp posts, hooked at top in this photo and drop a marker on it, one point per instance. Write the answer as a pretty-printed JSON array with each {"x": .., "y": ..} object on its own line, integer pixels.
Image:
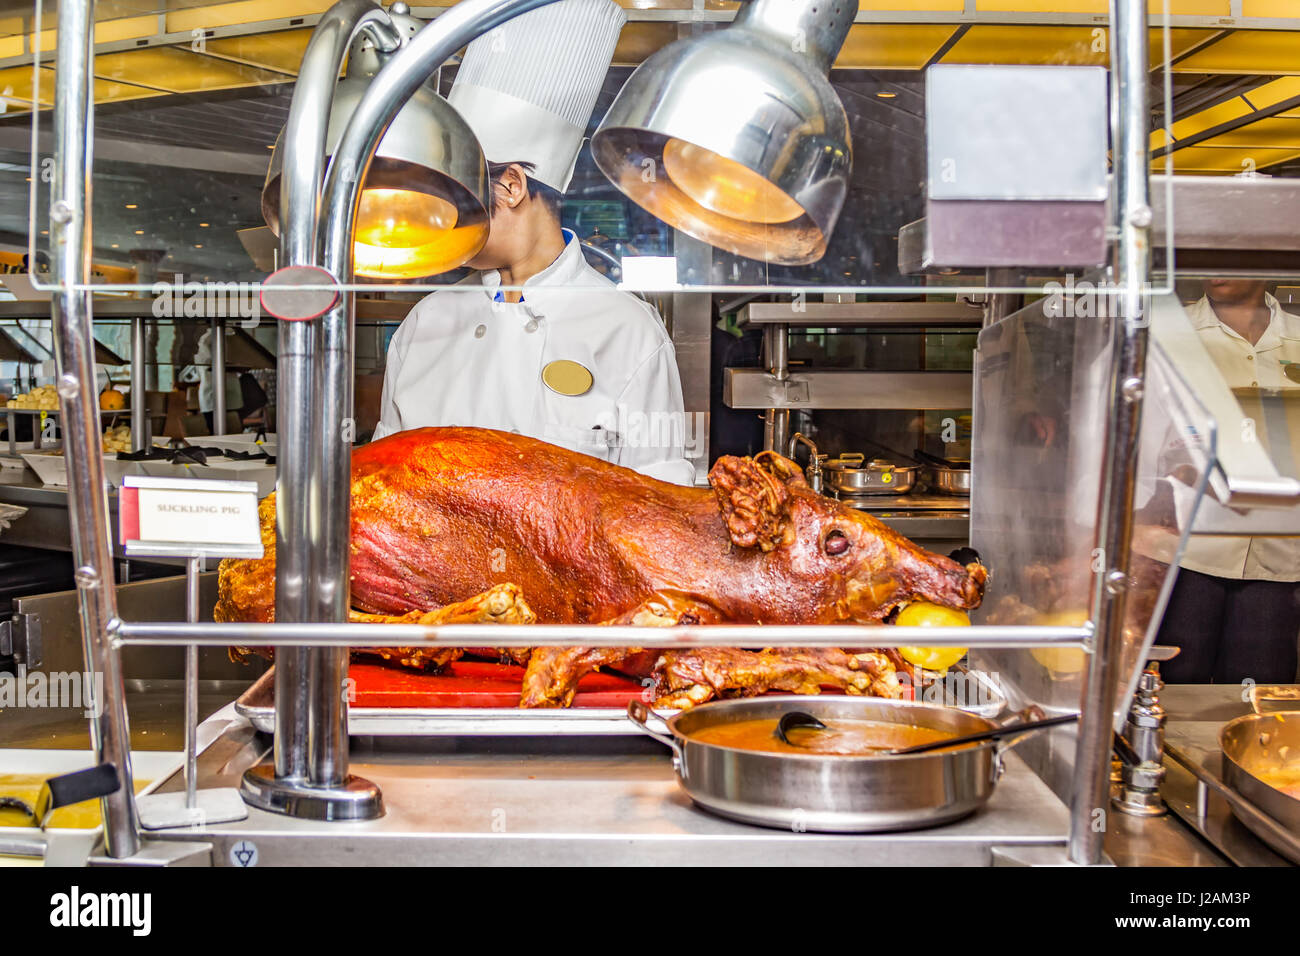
[{"x": 298, "y": 669}]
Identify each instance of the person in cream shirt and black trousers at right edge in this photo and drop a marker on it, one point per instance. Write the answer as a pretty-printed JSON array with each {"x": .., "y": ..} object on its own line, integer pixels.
[{"x": 1236, "y": 607}]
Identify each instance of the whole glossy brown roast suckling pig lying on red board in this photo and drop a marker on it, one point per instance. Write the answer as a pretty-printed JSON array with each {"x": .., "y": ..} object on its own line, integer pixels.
[{"x": 457, "y": 516}]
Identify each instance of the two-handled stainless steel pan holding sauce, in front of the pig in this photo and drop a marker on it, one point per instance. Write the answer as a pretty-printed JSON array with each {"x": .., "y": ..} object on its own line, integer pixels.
[{"x": 833, "y": 793}]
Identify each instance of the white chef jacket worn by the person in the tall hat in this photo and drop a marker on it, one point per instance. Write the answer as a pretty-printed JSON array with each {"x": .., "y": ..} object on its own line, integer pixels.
[{"x": 466, "y": 357}]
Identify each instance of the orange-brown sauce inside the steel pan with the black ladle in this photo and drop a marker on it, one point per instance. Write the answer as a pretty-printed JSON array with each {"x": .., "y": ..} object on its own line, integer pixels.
[{"x": 846, "y": 737}]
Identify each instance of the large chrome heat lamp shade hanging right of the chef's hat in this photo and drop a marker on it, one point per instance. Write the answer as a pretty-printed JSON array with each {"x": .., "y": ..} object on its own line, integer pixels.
[{"x": 736, "y": 137}]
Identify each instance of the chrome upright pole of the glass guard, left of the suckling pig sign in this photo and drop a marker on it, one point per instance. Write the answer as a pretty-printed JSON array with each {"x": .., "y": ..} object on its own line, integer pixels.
[{"x": 75, "y": 358}]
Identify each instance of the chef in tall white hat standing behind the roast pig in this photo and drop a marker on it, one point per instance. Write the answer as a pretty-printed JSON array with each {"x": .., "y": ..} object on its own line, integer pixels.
[{"x": 539, "y": 343}]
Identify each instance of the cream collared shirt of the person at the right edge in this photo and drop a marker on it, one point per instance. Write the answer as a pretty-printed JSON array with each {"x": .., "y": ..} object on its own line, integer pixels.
[{"x": 1249, "y": 366}]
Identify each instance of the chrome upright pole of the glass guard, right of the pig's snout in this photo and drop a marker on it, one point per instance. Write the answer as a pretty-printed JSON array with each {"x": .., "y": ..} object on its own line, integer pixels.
[{"x": 1130, "y": 269}]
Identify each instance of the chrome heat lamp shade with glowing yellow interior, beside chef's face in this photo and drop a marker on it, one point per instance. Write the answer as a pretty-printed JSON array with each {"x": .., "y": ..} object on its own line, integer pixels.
[{"x": 424, "y": 206}]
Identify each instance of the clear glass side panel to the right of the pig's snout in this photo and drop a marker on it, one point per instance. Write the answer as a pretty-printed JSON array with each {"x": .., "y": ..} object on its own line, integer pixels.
[{"x": 1041, "y": 417}]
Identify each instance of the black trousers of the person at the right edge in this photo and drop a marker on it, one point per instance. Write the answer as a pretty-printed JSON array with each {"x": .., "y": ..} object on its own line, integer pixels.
[{"x": 1232, "y": 630}]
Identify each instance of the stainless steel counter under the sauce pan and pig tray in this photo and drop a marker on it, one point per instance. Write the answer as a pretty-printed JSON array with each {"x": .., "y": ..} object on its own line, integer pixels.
[{"x": 592, "y": 802}]
